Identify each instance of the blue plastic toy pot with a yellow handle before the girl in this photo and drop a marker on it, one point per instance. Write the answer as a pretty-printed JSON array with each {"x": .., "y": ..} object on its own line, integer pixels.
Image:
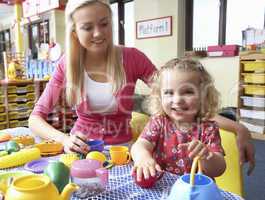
[{"x": 195, "y": 186}]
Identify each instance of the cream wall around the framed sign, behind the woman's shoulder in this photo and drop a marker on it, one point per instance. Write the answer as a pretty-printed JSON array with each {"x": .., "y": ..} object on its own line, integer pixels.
[{"x": 160, "y": 50}]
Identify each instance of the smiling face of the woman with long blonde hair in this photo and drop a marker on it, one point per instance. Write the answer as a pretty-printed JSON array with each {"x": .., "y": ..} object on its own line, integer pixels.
[{"x": 93, "y": 27}]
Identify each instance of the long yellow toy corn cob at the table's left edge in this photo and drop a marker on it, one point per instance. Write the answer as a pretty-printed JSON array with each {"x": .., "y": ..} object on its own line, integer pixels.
[{"x": 19, "y": 158}]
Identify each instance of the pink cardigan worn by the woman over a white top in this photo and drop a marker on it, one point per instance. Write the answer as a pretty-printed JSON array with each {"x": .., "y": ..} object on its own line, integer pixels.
[{"x": 113, "y": 128}]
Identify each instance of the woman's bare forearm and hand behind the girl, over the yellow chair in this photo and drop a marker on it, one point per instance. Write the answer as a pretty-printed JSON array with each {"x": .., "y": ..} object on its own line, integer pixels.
[{"x": 246, "y": 148}]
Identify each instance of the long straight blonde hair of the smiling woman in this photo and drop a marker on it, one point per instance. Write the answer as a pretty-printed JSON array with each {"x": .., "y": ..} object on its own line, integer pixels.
[{"x": 75, "y": 53}]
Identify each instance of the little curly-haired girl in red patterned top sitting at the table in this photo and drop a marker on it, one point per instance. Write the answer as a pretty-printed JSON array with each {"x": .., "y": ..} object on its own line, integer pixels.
[{"x": 182, "y": 101}]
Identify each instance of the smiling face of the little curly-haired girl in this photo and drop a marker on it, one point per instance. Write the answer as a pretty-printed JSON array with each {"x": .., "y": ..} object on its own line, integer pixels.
[{"x": 180, "y": 95}]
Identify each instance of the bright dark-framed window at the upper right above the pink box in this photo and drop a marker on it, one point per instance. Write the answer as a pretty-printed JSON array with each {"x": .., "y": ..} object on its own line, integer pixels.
[{"x": 213, "y": 22}]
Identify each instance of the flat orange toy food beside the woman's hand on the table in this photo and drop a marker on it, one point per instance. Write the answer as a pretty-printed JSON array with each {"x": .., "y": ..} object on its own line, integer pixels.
[{"x": 49, "y": 148}]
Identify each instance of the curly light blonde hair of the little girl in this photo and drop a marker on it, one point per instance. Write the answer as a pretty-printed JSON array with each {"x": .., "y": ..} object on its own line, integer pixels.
[{"x": 209, "y": 96}]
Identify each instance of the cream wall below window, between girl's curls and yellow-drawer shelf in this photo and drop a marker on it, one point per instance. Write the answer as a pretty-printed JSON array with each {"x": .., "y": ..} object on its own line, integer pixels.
[{"x": 225, "y": 71}]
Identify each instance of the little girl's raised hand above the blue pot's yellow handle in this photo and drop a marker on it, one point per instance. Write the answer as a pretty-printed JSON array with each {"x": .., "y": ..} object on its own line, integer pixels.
[{"x": 197, "y": 148}]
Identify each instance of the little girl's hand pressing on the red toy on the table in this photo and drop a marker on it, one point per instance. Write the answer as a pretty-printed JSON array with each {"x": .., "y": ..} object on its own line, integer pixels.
[{"x": 145, "y": 167}]
